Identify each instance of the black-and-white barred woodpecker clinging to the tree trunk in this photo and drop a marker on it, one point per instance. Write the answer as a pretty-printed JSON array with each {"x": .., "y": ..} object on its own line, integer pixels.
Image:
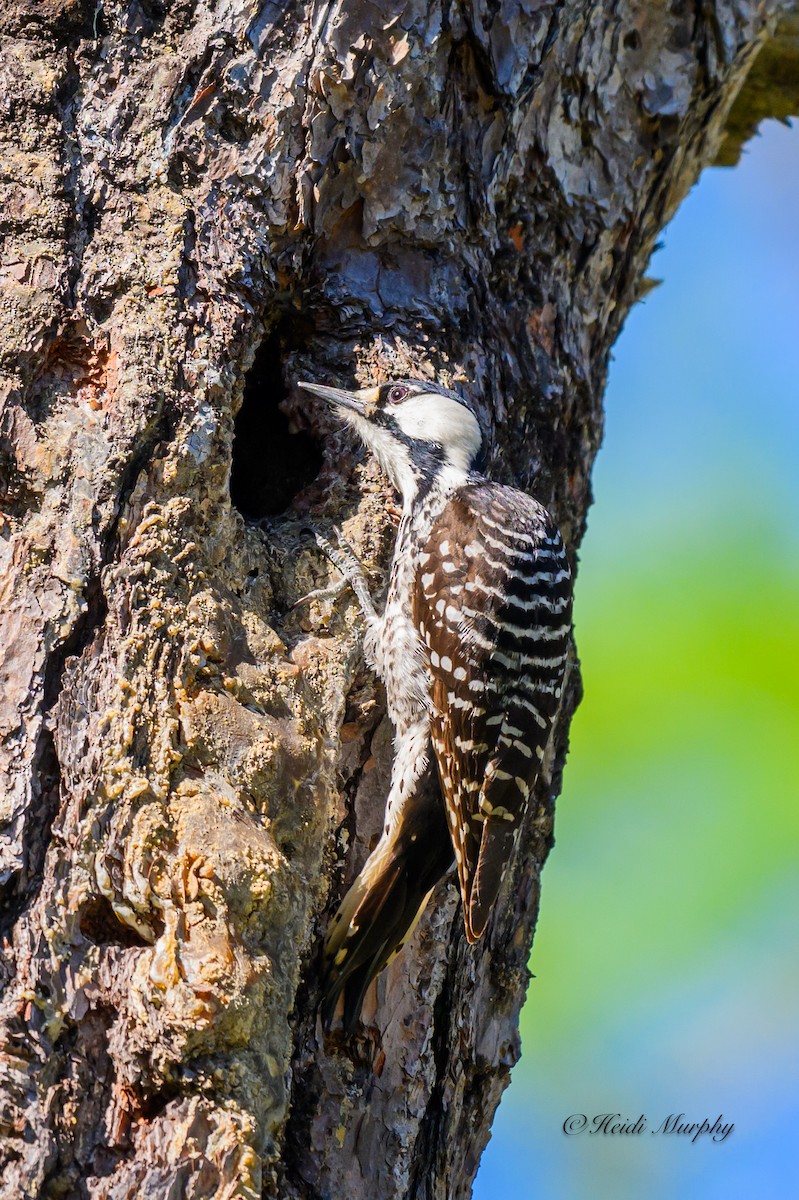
[{"x": 472, "y": 649}]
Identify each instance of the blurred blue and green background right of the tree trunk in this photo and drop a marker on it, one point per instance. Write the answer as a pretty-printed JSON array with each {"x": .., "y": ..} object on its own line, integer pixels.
[{"x": 666, "y": 955}]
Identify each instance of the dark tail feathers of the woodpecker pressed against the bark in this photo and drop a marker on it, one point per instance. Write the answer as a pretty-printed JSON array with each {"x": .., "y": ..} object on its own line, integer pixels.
[{"x": 382, "y": 908}]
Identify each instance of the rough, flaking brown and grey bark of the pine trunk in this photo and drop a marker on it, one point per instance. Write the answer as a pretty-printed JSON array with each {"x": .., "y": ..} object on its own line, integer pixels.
[{"x": 201, "y": 202}]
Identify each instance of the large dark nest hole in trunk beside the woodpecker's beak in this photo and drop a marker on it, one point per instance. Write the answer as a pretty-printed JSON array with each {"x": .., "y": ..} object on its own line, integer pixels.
[{"x": 271, "y": 464}]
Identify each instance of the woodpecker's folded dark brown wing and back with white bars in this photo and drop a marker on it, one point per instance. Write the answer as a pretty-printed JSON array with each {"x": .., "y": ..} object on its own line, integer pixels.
[{"x": 494, "y": 605}]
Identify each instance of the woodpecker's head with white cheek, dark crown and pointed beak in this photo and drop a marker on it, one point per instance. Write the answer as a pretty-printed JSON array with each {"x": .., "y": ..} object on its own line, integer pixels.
[{"x": 417, "y": 430}]
